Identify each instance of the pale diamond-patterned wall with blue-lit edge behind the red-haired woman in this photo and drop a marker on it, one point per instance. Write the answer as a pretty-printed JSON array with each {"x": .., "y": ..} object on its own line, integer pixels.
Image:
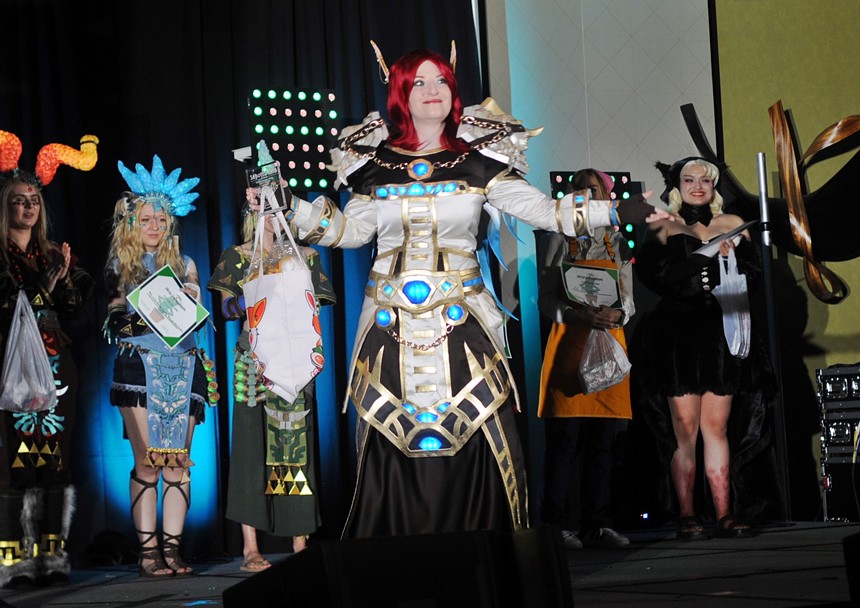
[{"x": 606, "y": 78}]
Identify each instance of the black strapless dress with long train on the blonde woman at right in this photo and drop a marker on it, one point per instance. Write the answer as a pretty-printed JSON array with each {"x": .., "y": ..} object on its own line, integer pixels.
[{"x": 679, "y": 348}]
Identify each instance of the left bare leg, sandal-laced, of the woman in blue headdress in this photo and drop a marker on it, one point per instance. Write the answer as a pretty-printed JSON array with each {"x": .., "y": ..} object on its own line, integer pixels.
[{"x": 143, "y": 490}]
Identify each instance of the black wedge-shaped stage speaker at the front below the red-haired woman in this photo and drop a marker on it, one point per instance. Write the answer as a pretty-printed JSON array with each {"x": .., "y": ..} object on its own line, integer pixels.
[{"x": 526, "y": 569}]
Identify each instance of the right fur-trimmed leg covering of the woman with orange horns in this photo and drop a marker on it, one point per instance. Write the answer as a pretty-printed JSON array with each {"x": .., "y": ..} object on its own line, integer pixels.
[{"x": 56, "y": 523}]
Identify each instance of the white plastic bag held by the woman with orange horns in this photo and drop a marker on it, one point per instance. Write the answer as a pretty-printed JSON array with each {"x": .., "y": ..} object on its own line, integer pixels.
[{"x": 27, "y": 380}]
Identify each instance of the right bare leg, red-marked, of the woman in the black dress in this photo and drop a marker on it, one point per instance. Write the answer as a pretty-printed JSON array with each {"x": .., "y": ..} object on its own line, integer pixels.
[{"x": 715, "y": 417}]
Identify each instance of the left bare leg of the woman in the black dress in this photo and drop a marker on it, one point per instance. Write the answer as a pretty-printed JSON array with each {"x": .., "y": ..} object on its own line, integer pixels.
[{"x": 686, "y": 412}]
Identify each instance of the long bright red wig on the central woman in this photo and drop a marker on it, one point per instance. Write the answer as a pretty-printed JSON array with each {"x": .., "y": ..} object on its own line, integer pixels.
[{"x": 401, "y": 81}]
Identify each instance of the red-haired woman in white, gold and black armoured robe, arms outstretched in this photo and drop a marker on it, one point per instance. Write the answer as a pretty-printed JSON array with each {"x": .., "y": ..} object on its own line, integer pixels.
[{"x": 438, "y": 449}]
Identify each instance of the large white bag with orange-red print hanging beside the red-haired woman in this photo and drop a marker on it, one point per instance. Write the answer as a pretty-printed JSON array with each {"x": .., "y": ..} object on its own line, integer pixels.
[{"x": 282, "y": 313}]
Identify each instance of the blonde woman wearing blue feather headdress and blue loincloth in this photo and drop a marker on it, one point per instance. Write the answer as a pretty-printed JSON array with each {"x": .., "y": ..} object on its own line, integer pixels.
[{"x": 161, "y": 391}]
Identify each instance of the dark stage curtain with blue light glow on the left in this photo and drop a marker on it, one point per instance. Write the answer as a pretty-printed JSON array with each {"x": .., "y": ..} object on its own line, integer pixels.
[{"x": 172, "y": 78}]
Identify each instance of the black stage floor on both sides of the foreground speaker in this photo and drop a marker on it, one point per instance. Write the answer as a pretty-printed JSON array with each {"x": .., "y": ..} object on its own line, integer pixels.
[{"x": 793, "y": 564}]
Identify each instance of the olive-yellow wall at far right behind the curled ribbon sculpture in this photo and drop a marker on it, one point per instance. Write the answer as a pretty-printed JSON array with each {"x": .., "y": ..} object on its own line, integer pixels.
[{"x": 807, "y": 54}]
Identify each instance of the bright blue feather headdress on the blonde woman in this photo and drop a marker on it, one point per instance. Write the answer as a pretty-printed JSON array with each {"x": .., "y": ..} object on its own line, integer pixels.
[{"x": 161, "y": 190}]
